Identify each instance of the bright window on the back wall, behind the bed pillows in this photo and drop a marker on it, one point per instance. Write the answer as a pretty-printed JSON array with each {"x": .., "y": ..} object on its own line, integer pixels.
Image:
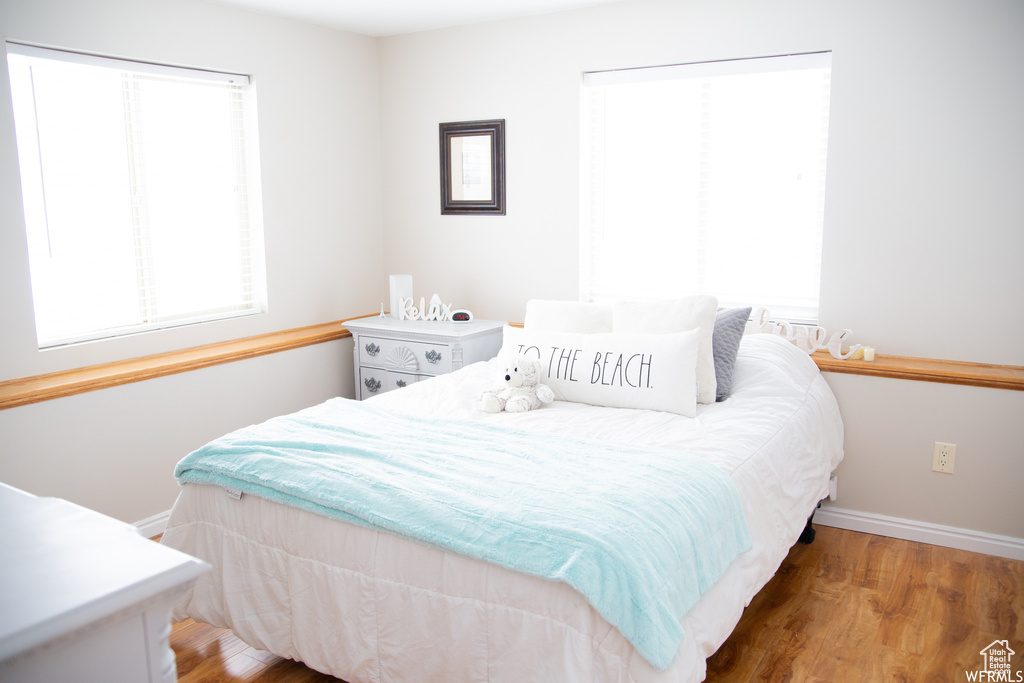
[{"x": 706, "y": 179}]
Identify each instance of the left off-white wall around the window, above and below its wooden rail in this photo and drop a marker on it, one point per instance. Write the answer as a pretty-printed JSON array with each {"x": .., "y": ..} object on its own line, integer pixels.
[{"x": 115, "y": 450}]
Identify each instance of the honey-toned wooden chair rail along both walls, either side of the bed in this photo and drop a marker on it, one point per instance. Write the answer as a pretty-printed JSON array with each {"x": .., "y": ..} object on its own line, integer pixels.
[{"x": 70, "y": 382}]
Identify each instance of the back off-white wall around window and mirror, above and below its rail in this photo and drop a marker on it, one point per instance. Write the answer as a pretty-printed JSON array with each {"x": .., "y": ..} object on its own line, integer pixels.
[{"x": 924, "y": 229}]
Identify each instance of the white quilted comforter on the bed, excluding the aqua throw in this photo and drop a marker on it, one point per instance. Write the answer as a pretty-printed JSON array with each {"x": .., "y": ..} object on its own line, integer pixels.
[{"x": 366, "y": 605}]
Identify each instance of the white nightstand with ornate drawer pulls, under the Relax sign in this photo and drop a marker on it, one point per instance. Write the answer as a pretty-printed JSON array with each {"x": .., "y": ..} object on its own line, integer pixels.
[{"x": 391, "y": 354}]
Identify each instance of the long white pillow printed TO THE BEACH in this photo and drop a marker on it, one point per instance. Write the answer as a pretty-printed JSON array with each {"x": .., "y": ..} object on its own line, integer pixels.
[{"x": 647, "y": 372}]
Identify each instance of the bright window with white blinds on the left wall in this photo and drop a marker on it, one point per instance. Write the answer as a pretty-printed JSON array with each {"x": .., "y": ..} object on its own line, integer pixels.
[{"x": 141, "y": 185}]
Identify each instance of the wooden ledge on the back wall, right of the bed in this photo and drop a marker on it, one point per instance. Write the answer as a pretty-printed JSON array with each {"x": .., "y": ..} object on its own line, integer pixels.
[{"x": 928, "y": 370}]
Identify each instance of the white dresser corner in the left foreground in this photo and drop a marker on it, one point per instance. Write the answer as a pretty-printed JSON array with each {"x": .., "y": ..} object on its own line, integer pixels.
[{"x": 84, "y": 597}]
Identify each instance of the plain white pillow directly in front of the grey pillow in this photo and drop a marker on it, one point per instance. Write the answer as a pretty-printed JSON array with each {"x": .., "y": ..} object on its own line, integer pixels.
[{"x": 696, "y": 313}]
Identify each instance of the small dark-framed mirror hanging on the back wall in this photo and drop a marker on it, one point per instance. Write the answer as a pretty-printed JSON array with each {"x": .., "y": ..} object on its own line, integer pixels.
[{"x": 483, "y": 192}]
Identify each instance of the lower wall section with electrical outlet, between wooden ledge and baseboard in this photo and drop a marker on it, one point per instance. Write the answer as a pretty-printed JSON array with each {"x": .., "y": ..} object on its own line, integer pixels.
[{"x": 891, "y": 426}]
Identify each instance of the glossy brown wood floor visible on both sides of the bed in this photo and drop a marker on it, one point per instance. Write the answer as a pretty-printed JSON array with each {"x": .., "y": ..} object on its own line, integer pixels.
[{"x": 848, "y": 608}]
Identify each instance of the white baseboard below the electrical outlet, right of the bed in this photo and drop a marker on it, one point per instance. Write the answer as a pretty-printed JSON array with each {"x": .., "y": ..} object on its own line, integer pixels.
[{"x": 909, "y": 530}]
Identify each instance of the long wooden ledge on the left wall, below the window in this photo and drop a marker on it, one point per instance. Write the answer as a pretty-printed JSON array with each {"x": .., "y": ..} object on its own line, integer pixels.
[{"x": 70, "y": 382}]
